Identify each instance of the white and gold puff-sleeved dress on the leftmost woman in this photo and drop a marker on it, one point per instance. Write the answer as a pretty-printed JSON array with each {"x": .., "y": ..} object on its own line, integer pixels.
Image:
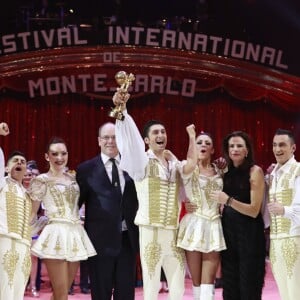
[{"x": 63, "y": 237}]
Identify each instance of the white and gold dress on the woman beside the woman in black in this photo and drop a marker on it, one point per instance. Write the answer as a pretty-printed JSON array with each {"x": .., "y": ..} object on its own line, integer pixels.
[{"x": 202, "y": 229}]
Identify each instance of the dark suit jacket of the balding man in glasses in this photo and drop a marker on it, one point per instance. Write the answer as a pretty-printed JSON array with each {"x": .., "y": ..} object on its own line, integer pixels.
[{"x": 103, "y": 210}]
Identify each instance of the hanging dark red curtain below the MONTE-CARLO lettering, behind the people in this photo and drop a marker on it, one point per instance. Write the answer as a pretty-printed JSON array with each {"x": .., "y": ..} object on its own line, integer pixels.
[{"x": 77, "y": 118}]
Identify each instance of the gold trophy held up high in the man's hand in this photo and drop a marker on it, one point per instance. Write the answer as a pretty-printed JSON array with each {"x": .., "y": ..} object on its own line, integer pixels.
[{"x": 124, "y": 80}]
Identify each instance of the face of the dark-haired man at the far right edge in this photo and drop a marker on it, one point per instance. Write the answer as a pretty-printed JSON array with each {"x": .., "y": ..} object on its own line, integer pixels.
[{"x": 283, "y": 148}]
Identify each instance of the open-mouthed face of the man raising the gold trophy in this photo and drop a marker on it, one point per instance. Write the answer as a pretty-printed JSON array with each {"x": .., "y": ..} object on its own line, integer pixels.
[{"x": 157, "y": 138}]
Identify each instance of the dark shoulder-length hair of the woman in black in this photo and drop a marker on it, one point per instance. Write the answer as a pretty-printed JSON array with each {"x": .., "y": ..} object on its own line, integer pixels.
[{"x": 249, "y": 159}]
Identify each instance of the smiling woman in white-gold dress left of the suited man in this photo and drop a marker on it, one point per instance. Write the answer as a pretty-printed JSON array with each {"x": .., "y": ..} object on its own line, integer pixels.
[{"x": 63, "y": 242}]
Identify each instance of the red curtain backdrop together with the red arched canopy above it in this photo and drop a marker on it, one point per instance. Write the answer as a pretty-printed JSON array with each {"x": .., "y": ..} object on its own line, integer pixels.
[{"x": 230, "y": 95}]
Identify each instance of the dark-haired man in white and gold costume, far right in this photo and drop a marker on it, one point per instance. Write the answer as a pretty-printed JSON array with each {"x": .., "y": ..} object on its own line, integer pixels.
[{"x": 284, "y": 207}]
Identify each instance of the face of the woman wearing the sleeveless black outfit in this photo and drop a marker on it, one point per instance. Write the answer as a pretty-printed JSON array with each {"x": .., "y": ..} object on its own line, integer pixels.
[{"x": 237, "y": 150}]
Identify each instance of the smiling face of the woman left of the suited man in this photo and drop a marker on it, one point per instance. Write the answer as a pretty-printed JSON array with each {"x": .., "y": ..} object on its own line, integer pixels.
[{"x": 57, "y": 157}]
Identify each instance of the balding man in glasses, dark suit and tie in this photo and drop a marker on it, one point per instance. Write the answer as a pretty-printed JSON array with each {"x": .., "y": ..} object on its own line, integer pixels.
[{"x": 110, "y": 209}]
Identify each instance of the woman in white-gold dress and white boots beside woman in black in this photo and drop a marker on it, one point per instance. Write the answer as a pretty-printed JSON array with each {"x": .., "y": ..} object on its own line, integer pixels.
[{"x": 200, "y": 232}]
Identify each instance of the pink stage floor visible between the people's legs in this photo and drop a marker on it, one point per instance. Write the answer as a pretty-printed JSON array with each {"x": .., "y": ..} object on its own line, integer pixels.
[{"x": 270, "y": 291}]
